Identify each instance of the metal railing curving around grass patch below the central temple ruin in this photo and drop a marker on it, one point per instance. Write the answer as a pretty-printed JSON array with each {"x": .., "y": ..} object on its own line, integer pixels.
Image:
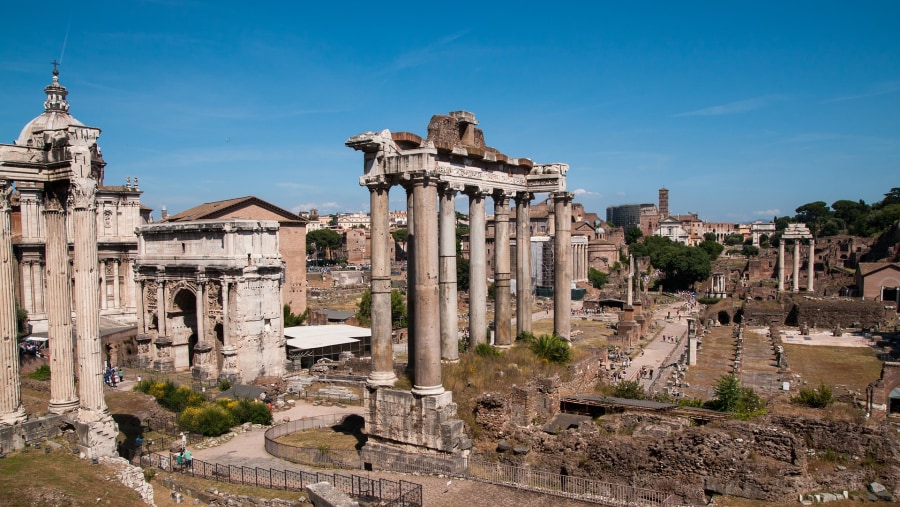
[{"x": 472, "y": 468}]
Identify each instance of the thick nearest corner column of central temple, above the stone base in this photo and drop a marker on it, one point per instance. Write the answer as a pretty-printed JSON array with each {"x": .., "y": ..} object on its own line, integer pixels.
[{"x": 426, "y": 332}]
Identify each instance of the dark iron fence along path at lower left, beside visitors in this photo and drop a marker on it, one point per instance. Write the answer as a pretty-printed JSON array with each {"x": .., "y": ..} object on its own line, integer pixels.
[{"x": 385, "y": 491}]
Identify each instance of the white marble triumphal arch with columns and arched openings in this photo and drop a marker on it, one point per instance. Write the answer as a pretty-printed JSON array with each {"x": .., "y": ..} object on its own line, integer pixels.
[{"x": 210, "y": 298}]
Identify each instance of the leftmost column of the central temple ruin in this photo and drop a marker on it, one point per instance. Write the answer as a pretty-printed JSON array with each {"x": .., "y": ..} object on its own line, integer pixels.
[{"x": 382, "y": 373}]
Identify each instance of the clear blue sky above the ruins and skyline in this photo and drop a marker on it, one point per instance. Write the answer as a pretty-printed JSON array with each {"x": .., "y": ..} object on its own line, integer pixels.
[{"x": 743, "y": 110}]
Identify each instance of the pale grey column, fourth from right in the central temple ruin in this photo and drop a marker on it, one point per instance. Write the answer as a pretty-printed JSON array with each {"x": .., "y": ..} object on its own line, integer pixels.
[{"x": 477, "y": 269}]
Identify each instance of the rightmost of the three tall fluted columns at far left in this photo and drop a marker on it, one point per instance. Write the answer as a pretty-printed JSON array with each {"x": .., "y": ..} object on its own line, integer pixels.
[{"x": 87, "y": 311}]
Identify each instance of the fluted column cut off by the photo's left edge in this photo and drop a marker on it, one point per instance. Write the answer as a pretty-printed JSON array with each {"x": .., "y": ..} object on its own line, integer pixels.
[{"x": 11, "y": 409}]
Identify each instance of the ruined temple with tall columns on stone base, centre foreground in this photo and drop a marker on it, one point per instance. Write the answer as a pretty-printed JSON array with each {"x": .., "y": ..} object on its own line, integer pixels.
[{"x": 453, "y": 158}]
